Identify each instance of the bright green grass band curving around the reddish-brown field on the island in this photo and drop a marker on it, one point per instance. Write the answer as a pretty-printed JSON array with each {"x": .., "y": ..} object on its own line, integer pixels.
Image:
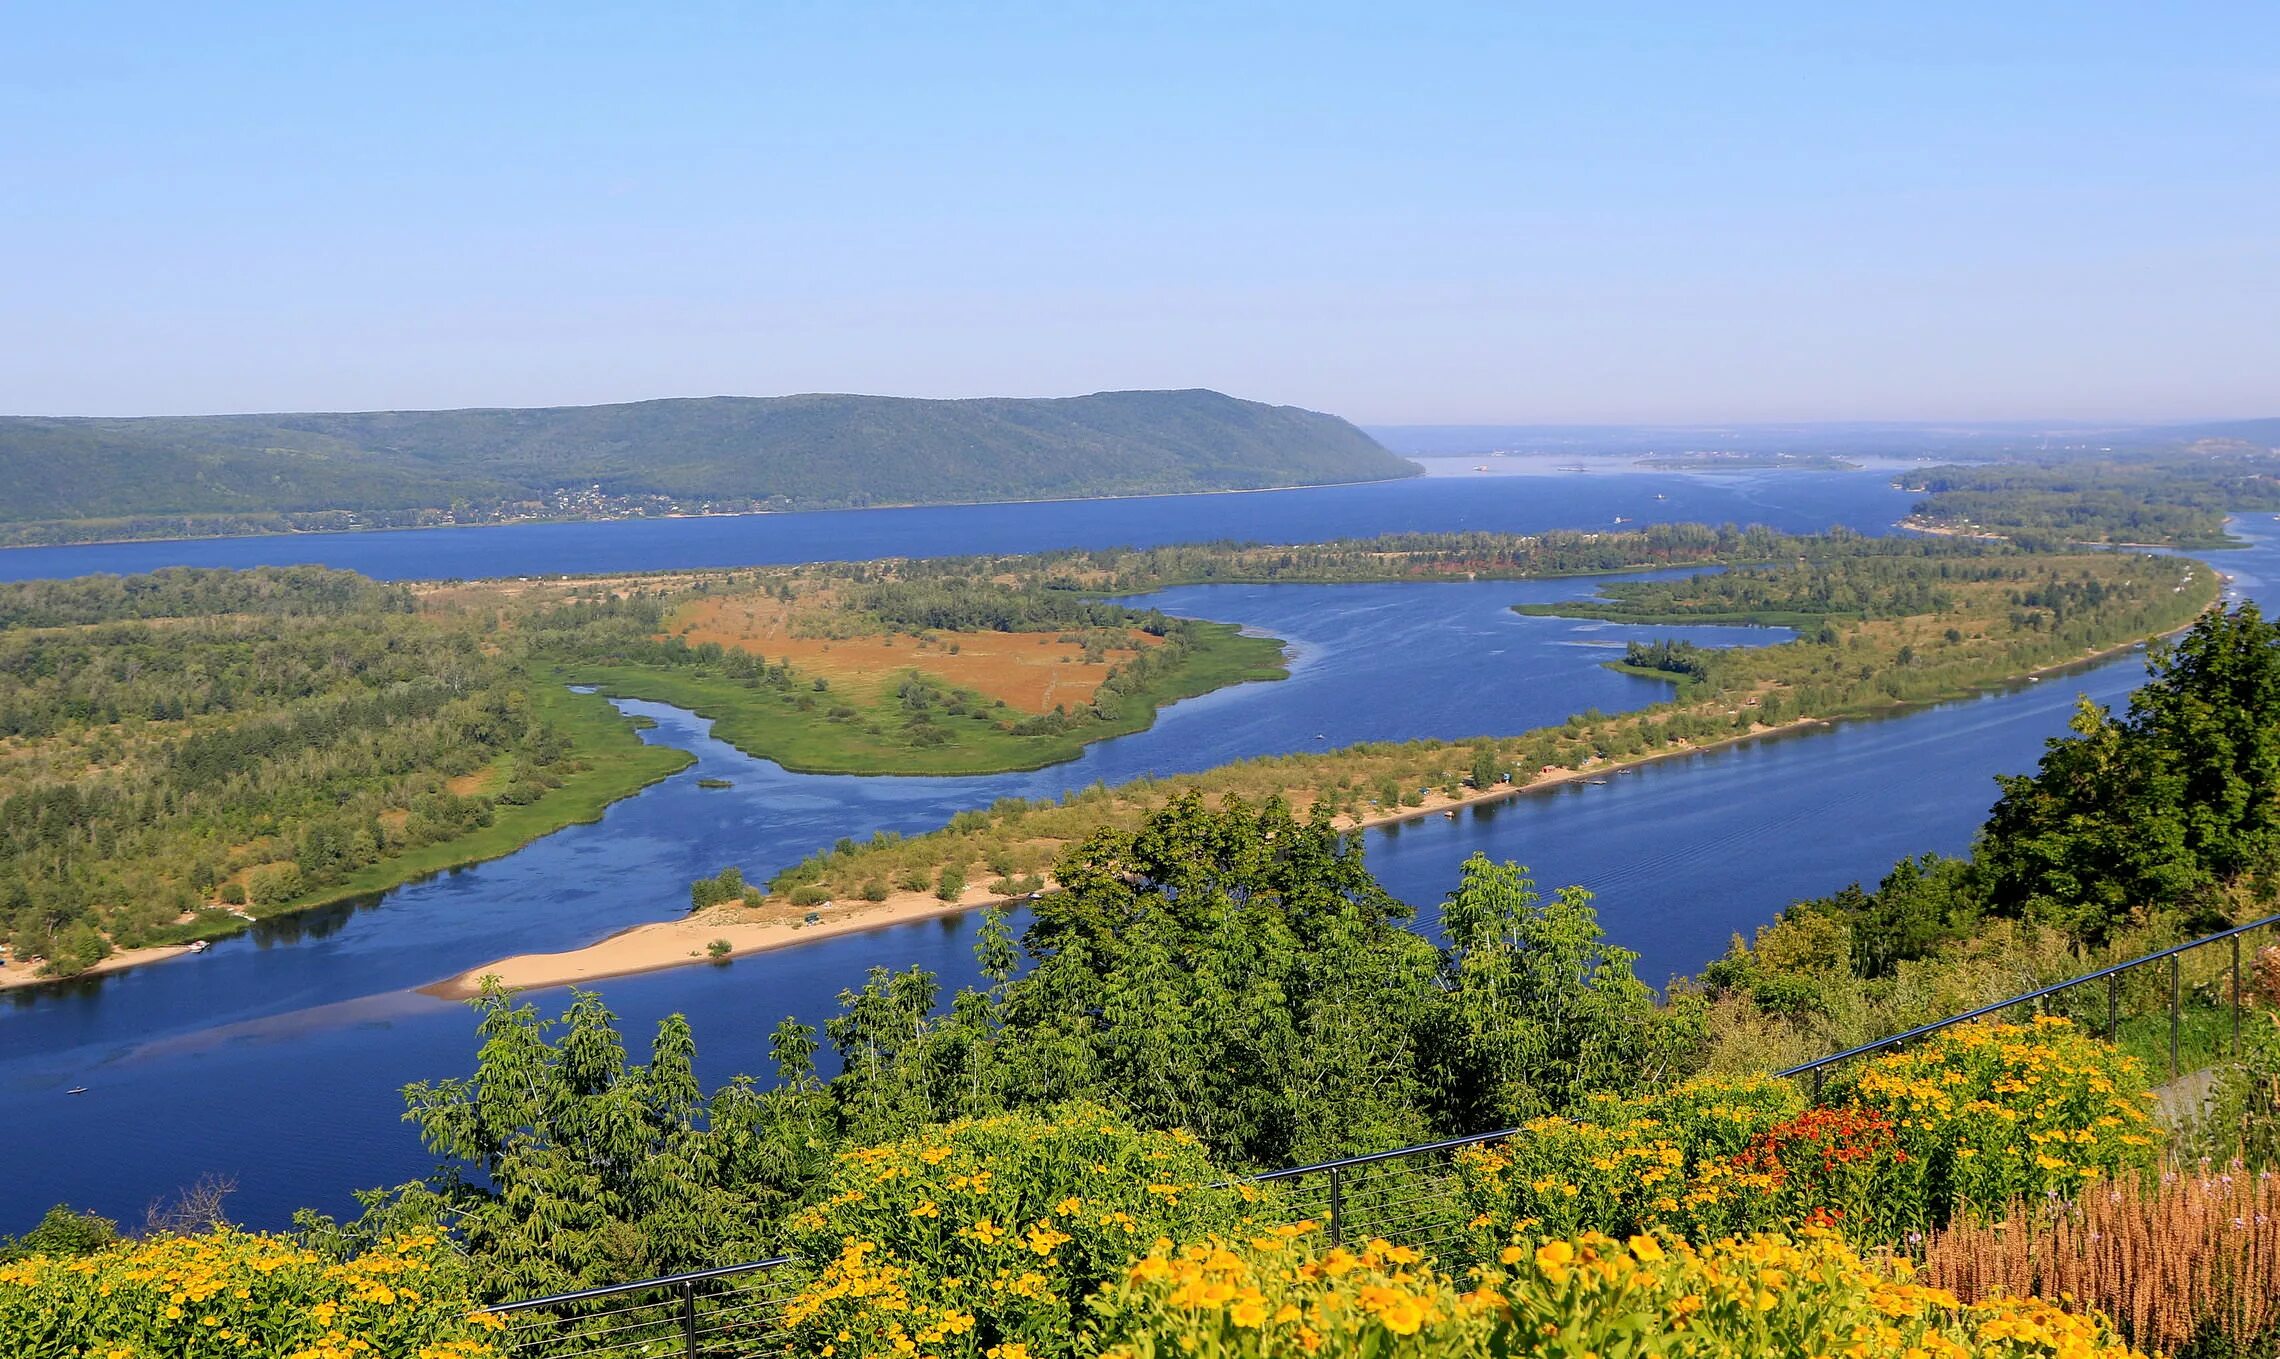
[{"x": 797, "y": 731}]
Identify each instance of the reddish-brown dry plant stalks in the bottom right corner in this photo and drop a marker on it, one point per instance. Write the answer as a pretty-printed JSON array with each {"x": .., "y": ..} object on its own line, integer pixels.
[{"x": 2197, "y": 1251}]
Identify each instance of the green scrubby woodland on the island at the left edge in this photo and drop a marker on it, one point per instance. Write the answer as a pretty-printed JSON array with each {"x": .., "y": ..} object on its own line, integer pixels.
[{"x": 190, "y": 744}]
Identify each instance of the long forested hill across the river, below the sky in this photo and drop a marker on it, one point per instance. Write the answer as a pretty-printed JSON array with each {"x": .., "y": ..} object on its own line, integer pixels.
[{"x": 681, "y": 455}]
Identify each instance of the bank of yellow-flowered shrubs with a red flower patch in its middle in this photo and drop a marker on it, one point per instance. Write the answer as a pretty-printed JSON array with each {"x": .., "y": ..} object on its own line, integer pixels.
[{"x": 1973, "y": 1118}]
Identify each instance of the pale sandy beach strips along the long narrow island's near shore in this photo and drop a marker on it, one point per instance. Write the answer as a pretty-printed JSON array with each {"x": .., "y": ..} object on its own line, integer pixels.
[{"x": 683, "y": 943}]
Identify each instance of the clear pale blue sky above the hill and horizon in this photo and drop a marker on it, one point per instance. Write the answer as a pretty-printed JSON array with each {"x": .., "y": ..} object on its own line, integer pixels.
[{"x": 1399, "y": 213}]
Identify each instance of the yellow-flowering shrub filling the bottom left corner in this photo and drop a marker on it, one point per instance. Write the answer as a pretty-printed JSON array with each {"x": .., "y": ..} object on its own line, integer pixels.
[{"x": 234, "y": 1294}]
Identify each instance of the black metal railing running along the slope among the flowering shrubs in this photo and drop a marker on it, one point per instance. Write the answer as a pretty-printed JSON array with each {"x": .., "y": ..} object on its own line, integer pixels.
[{"x": 1410, "y": 1196}]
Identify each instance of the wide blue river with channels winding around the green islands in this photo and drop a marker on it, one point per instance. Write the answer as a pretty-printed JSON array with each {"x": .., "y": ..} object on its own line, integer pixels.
[{"x": 277, "y": 1059}]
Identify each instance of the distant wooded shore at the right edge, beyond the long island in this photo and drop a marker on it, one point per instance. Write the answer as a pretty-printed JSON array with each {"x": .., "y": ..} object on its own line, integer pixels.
[{"x": 2160, "y": 498}]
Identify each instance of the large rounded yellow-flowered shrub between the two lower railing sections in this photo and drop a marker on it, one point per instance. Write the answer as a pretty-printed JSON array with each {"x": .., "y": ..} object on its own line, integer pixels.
[{"x": 986, "y": 1237}]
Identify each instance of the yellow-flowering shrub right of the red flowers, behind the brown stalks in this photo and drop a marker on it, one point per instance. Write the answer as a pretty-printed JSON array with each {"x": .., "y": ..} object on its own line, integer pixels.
[{"x": 1989, "y": 1114}]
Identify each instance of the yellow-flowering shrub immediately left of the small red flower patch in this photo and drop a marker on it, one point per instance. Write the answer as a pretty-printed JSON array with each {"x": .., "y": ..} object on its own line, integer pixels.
[{"x": 1627, "y": 1166}]
